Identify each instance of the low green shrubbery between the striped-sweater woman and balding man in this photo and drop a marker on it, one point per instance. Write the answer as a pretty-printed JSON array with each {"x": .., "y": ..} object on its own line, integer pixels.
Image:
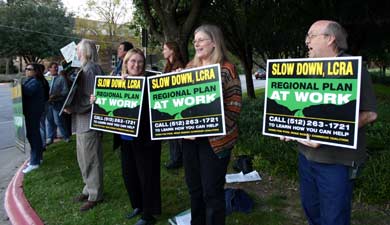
[{"x": 269, "y": 153}]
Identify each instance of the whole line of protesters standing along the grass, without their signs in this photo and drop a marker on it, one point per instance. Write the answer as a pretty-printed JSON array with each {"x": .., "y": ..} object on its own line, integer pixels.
[{"x": 326, "y": 185}]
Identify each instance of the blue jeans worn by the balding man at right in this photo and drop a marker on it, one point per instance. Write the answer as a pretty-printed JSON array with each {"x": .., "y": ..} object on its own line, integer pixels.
[{"x": 326, "y": 192}]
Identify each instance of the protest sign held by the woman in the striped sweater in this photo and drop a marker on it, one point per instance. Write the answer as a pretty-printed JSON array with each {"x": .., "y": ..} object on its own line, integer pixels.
[{"x": 186, "y": 103}]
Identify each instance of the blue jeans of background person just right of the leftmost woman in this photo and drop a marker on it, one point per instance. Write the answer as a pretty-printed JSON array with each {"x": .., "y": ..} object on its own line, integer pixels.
[{"x": 54, "y": 121}]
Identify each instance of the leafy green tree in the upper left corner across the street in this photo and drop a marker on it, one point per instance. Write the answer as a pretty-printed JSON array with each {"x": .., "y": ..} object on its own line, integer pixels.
[{"x": 34, "y": 29}]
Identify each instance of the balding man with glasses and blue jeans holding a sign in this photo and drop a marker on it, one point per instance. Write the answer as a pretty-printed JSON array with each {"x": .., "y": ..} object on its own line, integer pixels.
[{"x": 327, "y": 172}]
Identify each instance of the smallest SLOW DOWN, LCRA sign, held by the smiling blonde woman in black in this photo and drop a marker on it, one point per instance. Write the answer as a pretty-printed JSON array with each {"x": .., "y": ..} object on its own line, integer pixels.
[{"x": 118, "y": 104}]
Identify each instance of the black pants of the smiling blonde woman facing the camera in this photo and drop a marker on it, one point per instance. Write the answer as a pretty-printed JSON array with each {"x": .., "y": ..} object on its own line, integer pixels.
[{"x": 141, "y": 174}]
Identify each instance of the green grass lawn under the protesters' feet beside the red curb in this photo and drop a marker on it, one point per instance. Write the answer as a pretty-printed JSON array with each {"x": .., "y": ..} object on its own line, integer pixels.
[{"x": 50, "y": 190}]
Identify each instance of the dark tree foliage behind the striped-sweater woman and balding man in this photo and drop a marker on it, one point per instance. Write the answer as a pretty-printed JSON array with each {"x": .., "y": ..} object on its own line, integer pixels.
[{"x": 259, "y": 30}]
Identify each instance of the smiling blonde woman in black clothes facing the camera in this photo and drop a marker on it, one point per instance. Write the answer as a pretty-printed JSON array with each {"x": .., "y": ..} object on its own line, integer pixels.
[{"x": 141, "y": 155}]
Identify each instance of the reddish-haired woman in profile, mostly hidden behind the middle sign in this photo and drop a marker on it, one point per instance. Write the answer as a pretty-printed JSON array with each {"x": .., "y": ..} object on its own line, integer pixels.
[{"x": 174, "y": 61}]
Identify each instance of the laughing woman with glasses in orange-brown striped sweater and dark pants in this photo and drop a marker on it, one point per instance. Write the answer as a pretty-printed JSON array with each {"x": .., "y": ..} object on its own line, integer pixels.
[{"x": 206, "y": 158}]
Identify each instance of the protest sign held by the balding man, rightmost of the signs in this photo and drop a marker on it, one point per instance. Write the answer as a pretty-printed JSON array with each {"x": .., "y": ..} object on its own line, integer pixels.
[{"x": 313, "y": 98}]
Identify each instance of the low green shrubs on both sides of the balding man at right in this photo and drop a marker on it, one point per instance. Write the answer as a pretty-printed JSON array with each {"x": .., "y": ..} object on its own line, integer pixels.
[{"x": 274, "y": 157}]
